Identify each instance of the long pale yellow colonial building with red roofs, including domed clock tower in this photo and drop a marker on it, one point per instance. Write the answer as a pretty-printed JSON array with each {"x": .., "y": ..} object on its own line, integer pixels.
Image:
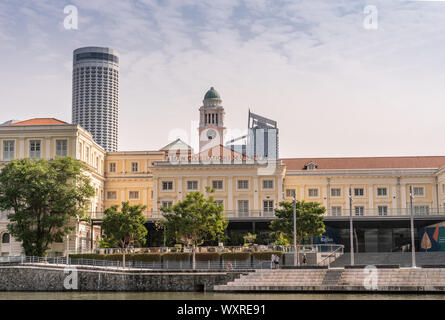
[{"x": 375, "y": 191}]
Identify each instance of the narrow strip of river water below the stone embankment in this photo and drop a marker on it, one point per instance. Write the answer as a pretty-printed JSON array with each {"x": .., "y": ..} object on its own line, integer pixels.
[{"x": 210, "y": 296}]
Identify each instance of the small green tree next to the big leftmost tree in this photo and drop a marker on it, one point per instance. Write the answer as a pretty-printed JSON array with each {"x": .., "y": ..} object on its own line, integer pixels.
[{"x": 124, "y": 228}]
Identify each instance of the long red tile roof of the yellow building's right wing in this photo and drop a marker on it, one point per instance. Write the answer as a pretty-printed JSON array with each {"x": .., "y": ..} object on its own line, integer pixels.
[{"x": 367, "y": 162}]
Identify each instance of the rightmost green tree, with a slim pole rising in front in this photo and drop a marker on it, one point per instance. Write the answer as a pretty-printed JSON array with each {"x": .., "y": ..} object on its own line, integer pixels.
[{"x": 309, "y": 221}]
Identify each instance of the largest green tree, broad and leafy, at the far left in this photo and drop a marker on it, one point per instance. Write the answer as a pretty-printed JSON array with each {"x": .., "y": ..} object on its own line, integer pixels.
[{"x": 43, "y": 197}]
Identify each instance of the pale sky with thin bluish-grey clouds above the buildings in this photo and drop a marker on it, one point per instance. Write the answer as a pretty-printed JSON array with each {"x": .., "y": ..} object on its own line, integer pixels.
[{"x": 336, "y": 86}]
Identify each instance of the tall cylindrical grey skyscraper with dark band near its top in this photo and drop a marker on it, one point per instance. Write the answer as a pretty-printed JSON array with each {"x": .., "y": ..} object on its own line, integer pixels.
[{"x": 96, "y": 93}]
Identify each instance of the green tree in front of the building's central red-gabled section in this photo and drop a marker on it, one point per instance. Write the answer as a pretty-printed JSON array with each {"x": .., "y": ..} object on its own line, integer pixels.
[{"x": 194, "y": 220}]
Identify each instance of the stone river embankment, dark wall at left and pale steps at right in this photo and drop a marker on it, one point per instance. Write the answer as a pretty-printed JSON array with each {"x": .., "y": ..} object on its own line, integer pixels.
[{"x": 40, "y": 277}]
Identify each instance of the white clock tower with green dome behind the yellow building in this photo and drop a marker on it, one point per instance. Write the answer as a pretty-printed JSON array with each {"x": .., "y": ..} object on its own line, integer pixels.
[{"x": 211, "y": 121}]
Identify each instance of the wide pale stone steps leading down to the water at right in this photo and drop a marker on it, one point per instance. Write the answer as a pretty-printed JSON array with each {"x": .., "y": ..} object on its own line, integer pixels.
[{"x": 348, "y": 279}]
